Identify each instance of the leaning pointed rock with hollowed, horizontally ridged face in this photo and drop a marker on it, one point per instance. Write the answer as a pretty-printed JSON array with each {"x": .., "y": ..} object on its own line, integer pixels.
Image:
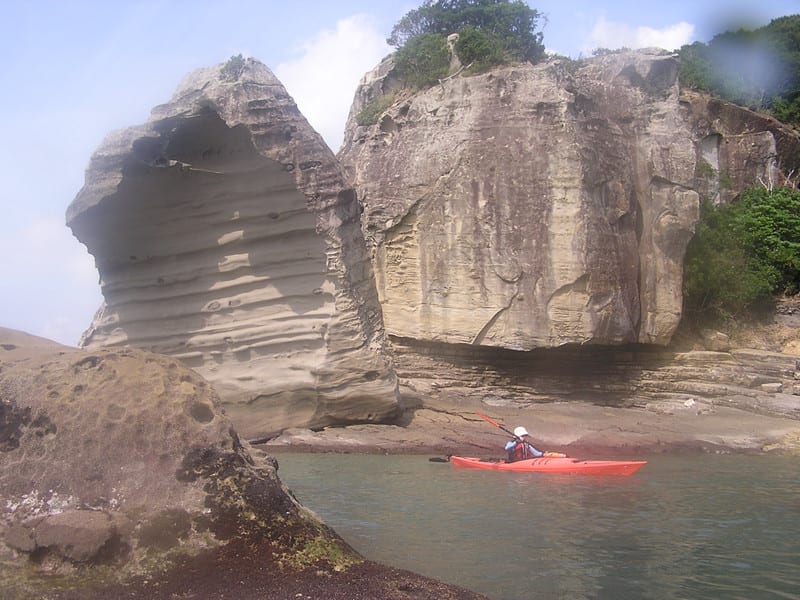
[{"x": 225, "y": 235}]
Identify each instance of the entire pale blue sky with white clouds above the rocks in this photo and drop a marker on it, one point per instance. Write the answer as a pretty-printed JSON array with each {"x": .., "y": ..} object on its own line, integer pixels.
[{"x": 74, "y": 71}]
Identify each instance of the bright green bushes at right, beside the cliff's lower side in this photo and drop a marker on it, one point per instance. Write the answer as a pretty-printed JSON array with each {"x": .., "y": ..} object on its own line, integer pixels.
[{"x": 743, "y": 253}]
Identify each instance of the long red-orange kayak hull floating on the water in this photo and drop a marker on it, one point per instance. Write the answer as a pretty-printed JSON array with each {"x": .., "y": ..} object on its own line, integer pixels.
[{"x": 553, "y": 465}]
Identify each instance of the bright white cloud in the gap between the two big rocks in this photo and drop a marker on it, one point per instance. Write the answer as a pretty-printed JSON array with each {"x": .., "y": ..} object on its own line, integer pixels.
[{"x": 324, "y": 78}]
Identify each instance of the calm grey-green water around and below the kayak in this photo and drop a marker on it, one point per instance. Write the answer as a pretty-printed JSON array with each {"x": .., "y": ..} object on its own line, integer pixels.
[{"x": 698, "y": 527}]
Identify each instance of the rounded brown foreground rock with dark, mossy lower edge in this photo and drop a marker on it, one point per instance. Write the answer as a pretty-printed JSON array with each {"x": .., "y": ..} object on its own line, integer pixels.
[{"x": 121, "y": 478}]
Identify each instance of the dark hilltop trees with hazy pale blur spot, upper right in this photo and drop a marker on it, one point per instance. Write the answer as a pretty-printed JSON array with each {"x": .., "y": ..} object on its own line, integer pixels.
[{"x": 756, "y": 68}]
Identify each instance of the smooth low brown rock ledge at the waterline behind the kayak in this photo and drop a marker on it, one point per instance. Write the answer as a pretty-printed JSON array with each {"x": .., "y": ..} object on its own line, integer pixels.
[{"x": 580, "y": 429}]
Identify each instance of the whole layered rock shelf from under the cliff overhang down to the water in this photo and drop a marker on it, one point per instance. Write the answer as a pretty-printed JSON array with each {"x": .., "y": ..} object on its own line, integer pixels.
[{"x": 713, "y": 392}]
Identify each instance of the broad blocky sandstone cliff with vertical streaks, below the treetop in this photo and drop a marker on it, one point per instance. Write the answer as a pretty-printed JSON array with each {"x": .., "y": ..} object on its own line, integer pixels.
[{"x": 537, "y": 206}]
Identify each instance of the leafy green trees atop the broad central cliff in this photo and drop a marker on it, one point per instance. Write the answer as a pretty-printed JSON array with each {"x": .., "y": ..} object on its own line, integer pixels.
[{"x": 491, "y": 32}]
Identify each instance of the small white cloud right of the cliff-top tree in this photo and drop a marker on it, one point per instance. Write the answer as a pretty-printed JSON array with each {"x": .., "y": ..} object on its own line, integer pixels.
[{"x": 612, "y": 35}]
